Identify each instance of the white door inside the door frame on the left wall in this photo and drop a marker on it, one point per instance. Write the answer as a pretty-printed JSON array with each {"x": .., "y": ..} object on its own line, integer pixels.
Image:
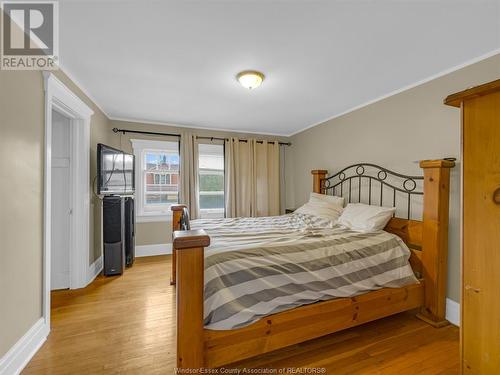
[{"x": 61, "y": 201}]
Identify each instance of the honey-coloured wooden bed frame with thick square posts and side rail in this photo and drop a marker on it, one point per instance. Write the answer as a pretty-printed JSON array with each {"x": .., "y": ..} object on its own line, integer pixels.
[{"x": 198, "y": 347}]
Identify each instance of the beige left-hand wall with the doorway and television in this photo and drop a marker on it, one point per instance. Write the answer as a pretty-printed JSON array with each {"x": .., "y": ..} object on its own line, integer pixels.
[{"x": 21, "y": 198}]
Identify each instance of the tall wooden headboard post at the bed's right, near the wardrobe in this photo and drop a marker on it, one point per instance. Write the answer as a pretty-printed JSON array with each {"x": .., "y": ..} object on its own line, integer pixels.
[{"x": 435, "y": 239}]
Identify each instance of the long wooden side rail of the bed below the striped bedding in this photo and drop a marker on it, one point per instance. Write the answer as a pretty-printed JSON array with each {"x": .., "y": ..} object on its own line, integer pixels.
[{"x": 306, "y": 323}]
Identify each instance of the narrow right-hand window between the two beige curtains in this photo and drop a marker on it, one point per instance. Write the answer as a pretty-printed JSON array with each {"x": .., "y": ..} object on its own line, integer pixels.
[{"x": 211, "y": 176}]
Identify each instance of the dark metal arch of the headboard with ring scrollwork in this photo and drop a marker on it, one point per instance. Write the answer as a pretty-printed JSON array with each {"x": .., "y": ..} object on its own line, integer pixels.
[{"x": 370, "y": 173}]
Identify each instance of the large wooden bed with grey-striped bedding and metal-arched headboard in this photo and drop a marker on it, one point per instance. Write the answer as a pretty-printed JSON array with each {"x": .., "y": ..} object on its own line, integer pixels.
[{"x": 248, "y": 286}]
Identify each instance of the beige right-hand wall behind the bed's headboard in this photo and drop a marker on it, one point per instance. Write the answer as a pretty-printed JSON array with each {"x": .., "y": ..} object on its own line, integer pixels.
[{"x": 395, "y": 133}]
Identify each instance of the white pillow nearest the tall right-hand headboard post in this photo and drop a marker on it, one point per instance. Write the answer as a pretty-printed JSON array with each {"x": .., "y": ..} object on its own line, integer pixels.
[{"x": 365, "y": 218}]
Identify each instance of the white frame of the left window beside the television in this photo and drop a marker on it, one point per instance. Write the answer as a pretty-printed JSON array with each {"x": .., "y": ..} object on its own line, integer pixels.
[{"x": 140, "y": 147}]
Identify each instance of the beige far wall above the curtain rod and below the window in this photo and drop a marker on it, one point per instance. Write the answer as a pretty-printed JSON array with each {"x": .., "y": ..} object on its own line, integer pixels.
[{"x": 160, "y": 232}]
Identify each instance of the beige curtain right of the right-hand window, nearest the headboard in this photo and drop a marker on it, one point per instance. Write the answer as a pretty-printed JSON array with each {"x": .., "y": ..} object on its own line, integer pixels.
[{"x": 252, "y": 178}]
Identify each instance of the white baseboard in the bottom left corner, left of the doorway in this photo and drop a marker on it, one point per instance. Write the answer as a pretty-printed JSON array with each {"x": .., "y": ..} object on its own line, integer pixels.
[{"x": 14, "y": 361}]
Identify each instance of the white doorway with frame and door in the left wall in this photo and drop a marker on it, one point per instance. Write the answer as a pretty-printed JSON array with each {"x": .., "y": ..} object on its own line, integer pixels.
[{"x": 66, "y": 246}]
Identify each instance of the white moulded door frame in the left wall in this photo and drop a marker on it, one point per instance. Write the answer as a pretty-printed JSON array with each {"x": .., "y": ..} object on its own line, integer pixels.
[{"x": 61, "y": 99}]
